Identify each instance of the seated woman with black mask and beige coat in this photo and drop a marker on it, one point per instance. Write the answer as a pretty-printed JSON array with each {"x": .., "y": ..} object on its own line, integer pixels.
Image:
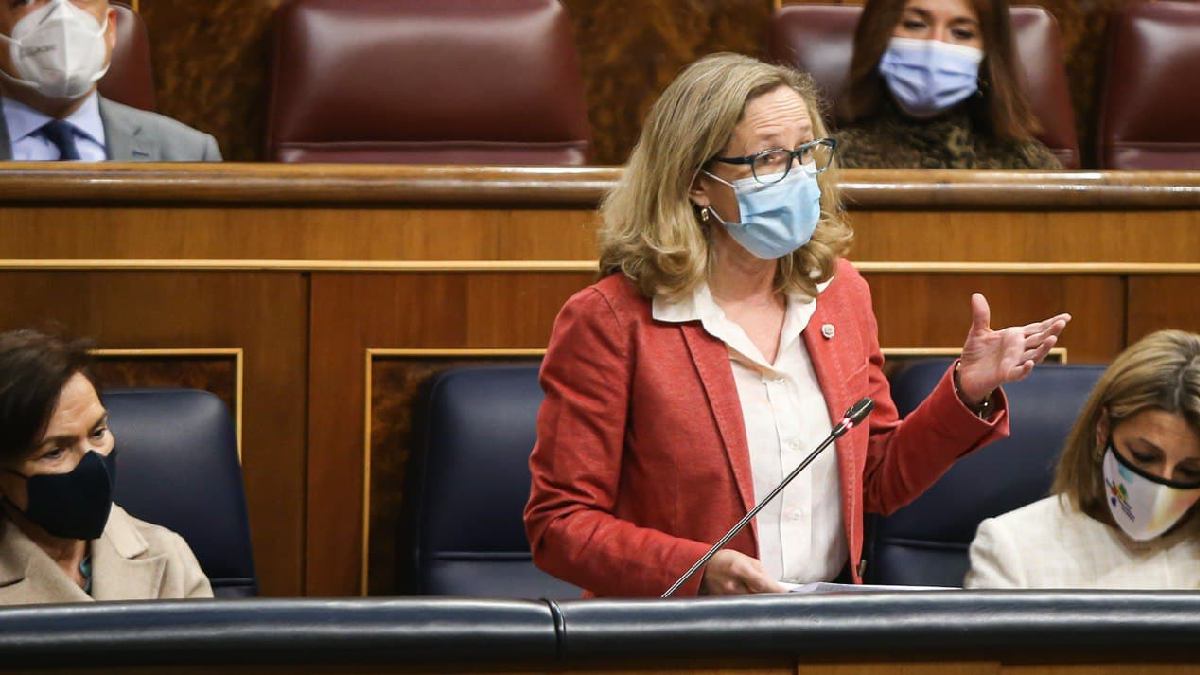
[{"x": 62, "y": 537}]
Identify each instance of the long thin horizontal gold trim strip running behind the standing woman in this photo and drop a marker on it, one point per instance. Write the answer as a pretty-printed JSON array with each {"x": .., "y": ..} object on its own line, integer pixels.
[{"x": 874, "y": 267}]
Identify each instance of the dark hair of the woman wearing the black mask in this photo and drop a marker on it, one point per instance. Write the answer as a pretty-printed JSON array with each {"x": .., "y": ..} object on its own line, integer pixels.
[{"x": 34, "y": 368}]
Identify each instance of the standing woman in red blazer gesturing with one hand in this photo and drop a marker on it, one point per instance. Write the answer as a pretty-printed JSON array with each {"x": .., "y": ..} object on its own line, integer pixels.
[{"x": 725, "y": 338}]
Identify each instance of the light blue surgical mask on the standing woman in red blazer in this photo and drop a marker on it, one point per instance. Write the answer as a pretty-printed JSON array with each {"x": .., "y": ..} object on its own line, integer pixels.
[{"x": 777, "y": 219}]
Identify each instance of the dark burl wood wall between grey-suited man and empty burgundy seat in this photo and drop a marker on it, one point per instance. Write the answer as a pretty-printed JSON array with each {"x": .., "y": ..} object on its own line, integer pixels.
[{"x": 211, "y": 62}]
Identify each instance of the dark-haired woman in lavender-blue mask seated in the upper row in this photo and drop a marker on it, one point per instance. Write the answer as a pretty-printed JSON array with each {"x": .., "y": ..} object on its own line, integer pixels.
[{"x": 934, "y": 85}]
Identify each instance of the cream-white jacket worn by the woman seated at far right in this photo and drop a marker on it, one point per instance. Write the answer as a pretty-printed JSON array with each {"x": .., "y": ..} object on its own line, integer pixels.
[{"x": 1051, "y": 545}]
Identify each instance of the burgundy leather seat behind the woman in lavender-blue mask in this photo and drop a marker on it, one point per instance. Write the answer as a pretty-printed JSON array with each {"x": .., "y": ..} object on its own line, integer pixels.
[{"x": 820, "y": 39}]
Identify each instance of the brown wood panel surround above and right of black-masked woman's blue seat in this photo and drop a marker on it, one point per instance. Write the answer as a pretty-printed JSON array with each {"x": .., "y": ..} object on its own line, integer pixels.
[{"x": 263, "y": 314}]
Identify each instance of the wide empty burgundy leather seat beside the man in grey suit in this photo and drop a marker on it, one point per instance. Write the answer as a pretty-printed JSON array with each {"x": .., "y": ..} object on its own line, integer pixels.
[{"x": 427, "y": 82}]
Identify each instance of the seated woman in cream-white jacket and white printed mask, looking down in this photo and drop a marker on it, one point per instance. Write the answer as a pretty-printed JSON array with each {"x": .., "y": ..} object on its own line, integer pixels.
[{"x": 1123, "y": 511}]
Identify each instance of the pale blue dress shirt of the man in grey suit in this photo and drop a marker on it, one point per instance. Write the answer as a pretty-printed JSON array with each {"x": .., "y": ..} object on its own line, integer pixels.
[{"x": 33, "y": 147}]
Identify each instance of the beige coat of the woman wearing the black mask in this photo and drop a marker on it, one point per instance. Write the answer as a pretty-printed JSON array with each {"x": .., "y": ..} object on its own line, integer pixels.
[{"x": 133, "y": 560}]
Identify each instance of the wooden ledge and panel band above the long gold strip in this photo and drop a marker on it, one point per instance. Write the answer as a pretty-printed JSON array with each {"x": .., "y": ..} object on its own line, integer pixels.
[{"x": 321, "y": 213}]
